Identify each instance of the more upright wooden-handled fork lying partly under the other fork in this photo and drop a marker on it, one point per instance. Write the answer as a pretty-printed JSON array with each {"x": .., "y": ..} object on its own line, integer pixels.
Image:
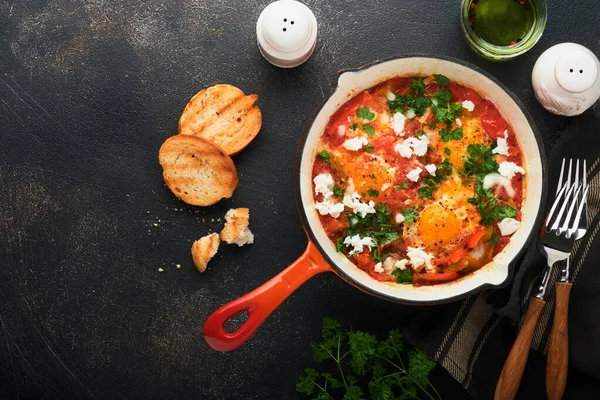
[{"x": 558, "y": 352}]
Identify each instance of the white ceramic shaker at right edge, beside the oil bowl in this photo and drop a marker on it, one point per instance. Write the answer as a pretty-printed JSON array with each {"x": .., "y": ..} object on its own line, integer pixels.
[{"x": 565, "y": 79}]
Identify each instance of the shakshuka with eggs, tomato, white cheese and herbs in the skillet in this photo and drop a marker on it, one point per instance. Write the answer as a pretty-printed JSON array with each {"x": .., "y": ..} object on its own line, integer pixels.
[{"x": 419, "y": 180}]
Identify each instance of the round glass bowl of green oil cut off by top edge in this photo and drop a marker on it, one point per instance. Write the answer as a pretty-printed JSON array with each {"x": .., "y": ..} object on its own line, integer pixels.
[{"x": 502, "y": 29}]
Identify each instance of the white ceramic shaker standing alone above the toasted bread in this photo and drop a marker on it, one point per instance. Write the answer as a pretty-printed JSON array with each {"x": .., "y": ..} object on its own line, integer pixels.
[{"x": 286, "y": 32}]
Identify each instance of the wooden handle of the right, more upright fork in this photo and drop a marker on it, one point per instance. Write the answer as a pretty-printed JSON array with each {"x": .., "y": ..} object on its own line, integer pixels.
[{"x": 558, "y": 353}]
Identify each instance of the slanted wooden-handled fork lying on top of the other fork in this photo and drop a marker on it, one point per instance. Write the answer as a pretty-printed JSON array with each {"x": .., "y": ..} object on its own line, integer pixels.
[{"x": 557, "y": 240}]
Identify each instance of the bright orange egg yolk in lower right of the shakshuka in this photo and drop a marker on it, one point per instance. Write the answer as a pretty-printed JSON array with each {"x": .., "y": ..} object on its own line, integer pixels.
[{"x": 438, "y": 226}]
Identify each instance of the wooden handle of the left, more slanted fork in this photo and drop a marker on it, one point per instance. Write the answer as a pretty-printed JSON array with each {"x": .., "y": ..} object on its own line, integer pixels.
[{"x": 511, "y": 375}]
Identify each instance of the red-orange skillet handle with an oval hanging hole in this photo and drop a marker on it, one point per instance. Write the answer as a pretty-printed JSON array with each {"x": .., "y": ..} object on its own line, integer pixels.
[{"x": 262, "y": 301}]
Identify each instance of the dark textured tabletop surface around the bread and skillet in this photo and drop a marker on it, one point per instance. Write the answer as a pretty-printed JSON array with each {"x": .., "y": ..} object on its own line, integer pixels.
[{"x": 88, "y": 92}]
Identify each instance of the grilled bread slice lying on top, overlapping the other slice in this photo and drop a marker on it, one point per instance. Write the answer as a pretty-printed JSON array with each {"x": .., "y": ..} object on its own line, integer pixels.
[{"x": 197, "y": 171}]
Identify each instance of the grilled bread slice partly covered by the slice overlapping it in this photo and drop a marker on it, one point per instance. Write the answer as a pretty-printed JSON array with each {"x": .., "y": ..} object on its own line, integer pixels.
[{"x": 223, "y": 115}]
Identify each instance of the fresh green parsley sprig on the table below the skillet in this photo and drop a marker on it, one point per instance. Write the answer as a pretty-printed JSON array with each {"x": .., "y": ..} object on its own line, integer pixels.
[{"x": 363, "y": 364}]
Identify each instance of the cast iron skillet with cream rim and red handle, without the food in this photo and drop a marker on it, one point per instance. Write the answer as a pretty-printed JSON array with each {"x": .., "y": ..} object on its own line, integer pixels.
[{"x": 321, "y": 255}]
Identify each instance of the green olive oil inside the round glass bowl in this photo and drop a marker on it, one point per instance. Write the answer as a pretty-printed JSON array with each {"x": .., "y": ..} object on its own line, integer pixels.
[{"x": 501, "y": 22}]
